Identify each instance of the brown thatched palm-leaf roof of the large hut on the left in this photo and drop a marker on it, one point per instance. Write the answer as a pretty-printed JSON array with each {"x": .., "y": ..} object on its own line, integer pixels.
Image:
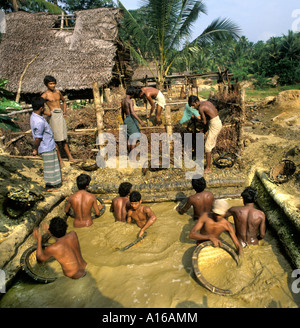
[{"x": 76, "y": 58}]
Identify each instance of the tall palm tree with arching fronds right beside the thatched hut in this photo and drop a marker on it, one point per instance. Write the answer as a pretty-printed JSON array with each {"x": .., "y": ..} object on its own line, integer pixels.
[{"x": 162, "y": 29}]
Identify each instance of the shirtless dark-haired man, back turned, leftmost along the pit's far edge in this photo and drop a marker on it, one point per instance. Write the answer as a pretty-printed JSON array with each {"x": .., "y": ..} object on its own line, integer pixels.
[{"x": 82, "y": 203}]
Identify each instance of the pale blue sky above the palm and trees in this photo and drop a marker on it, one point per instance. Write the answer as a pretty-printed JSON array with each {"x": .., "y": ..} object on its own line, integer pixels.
[{"x": 258, "y": 19}]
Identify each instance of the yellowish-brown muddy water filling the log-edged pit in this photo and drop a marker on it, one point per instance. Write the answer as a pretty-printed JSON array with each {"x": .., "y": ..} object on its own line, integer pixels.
[{"x": 158, "y": 272}]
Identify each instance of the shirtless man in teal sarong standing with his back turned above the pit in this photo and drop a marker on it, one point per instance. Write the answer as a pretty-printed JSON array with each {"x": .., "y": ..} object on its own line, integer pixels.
[{"x": 131, "y": 119}]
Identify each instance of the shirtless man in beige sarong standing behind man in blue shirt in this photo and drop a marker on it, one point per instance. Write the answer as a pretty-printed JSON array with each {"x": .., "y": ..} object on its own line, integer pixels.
[{"x": 57, "y": 121}]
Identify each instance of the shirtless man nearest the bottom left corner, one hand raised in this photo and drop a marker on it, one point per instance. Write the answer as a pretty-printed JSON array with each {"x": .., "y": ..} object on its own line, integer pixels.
[{"x": 66, "y": 249}]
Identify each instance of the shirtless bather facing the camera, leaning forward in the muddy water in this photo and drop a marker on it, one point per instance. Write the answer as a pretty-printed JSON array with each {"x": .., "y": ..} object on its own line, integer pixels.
[{"x": 141, "y": 214}]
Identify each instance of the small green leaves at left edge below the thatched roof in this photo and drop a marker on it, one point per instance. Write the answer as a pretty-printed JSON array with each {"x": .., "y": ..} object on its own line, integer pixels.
[{"x": 7, "y": 122}]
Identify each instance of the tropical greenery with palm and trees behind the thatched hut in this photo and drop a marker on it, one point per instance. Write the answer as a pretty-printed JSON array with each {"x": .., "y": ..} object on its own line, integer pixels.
[{"x": 160, "y": 32}]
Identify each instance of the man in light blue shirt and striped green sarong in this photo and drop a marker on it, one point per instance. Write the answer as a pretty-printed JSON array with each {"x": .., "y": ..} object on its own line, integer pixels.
[{"x": 44, "y": 144}]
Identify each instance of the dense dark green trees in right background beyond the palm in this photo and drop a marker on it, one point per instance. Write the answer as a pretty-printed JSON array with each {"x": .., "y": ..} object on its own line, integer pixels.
[{"x": 262, "y": 60}]
